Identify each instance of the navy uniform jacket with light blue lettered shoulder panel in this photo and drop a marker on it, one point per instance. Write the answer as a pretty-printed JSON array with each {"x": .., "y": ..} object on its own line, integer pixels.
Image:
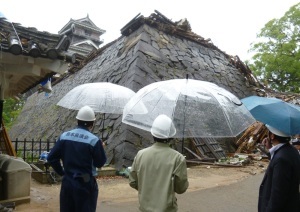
[{"x": 80, "y": 152}]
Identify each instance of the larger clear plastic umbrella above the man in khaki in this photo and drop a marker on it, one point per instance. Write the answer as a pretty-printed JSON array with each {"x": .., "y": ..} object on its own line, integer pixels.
[{"x": 197, "y": 108}]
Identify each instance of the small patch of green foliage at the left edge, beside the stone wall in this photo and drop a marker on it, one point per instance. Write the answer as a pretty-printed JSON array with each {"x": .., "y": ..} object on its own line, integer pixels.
[{"x": 11, "y": 109}]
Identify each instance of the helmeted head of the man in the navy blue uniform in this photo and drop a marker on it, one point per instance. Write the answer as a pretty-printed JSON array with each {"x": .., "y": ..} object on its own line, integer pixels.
[{"x": 86, "y": 117}]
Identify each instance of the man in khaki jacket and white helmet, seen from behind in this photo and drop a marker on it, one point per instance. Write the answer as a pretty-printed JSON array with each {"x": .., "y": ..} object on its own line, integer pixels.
[{"x": 158, "y": 172}]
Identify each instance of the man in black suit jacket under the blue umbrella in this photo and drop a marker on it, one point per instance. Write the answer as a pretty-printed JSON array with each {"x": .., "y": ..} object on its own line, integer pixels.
[{"x": 279, "y": 190}]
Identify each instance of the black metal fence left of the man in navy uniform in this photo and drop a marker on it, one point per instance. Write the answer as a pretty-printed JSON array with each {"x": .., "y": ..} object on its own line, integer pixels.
[{"x": 30, "y": 150}]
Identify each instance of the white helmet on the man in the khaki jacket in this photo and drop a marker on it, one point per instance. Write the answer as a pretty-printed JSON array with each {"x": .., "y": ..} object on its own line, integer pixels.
[{"x": 163, "y": 127}]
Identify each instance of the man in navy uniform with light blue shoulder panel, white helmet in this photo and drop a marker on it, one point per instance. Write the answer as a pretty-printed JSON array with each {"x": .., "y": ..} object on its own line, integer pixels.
[{"x": 80, "y": 152}]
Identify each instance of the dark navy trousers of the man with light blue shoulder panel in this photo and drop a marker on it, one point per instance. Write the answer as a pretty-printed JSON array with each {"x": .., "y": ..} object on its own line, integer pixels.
[{"x": 78, "y": 196}]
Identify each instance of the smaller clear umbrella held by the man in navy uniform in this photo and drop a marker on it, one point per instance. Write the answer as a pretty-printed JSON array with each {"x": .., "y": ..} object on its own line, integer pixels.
[{"x": 103, "y": 97}]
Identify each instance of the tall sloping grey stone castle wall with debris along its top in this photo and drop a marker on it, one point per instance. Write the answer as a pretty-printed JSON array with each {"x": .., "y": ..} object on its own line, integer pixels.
[{"x": 145, "y": 56}]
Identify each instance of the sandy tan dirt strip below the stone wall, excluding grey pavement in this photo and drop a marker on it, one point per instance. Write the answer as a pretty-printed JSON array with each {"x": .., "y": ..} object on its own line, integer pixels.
[{"x": 45, "y": 197}]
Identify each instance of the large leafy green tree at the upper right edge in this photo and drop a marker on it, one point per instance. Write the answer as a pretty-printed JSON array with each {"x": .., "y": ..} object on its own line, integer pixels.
[{"x": 276, "y": 61}]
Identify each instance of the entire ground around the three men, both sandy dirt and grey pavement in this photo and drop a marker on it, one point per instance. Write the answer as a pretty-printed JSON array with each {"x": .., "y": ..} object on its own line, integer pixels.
[{"x": 233, "y": 189}]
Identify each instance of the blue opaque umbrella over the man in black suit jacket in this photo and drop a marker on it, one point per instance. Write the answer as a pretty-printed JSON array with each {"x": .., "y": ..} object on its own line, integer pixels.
[{"x": 274, "y": 112}]
